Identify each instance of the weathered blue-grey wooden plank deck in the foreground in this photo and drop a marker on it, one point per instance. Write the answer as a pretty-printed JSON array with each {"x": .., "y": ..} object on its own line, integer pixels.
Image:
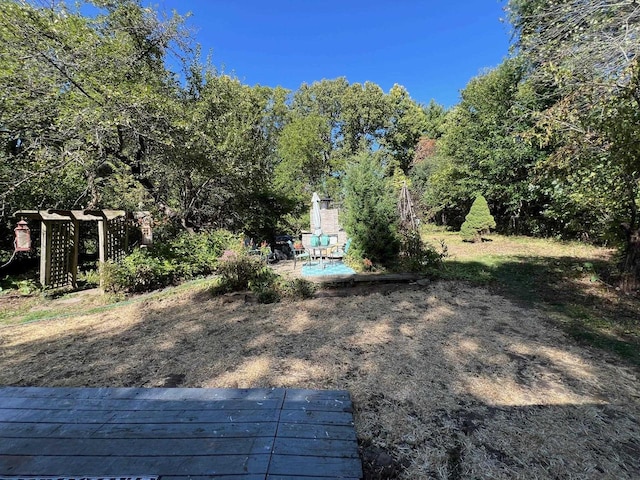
[{"x": 177, "y": 433}]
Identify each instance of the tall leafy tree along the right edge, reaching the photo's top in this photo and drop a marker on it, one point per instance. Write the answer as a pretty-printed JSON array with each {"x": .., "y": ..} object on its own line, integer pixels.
[{"x": 586, "y": 54}]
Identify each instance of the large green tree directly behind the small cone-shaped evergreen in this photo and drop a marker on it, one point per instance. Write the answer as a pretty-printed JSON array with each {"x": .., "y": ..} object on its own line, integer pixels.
[{"x": 483, "y": 149}]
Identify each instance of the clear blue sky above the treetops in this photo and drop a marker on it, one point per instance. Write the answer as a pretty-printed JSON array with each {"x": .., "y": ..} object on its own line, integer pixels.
[{"x": 432, "y": 47}]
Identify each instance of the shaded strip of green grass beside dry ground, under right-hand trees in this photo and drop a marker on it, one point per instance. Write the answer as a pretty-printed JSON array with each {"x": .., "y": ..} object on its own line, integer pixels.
[{"x": 572, "y": 290}]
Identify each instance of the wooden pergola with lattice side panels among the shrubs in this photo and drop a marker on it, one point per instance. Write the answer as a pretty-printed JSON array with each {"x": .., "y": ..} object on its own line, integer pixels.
[{"x": 59, "y": 240}]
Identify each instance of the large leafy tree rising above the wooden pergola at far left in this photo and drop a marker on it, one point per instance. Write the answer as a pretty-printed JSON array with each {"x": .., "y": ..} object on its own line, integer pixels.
[{"x": 86, "y": 101}]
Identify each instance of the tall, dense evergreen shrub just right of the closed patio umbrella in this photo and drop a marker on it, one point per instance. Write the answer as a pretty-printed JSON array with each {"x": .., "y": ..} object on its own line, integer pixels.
[{"x": 370, "y": 216}]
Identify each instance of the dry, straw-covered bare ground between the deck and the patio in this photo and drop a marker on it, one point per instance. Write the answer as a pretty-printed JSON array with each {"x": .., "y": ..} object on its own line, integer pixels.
[{"x": 448, "y": 380}]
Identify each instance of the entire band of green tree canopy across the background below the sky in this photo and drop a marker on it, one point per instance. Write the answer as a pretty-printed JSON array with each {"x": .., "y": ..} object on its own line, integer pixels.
[{"x": 119, "y": 110}]
